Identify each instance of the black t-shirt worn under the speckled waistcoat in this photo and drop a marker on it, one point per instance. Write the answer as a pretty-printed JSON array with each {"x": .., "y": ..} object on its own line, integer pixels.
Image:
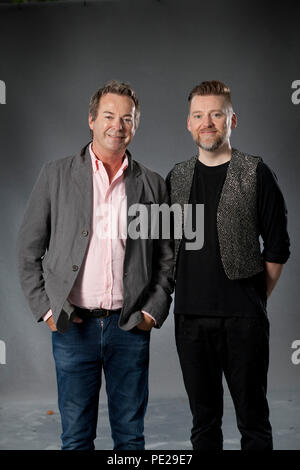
[{"x": 202, "y": 287}]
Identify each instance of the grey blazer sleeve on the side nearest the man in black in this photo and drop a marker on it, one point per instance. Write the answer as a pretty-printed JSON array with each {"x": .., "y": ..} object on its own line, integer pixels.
[{"x": 158, "y": 299}]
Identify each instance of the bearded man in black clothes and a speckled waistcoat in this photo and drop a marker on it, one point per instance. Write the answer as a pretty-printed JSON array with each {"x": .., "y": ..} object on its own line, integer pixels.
[{"x": 221, "y": 323}]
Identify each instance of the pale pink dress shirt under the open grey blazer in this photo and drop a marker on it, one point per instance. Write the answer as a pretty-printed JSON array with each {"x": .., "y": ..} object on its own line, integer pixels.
[{"x": 99, "y": 283}]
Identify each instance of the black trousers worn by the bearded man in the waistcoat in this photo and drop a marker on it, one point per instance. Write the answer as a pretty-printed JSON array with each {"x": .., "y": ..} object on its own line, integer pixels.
[{"x": 239, "y": 348}]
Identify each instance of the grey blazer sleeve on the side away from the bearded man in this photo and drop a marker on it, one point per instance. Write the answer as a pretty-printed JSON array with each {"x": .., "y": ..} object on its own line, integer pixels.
[{"x": 32, "y": 242}]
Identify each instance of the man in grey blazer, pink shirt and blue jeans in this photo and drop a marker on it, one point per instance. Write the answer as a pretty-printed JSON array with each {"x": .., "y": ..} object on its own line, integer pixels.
[{"x": 99, "y": 290}]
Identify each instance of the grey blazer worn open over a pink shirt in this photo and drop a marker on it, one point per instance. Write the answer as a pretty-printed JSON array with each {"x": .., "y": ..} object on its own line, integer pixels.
[{"x": 54, "y": 235}]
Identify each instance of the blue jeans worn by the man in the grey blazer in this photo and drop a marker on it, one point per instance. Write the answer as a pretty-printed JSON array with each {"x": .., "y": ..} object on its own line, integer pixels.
[{"x": 79, "y": 356}]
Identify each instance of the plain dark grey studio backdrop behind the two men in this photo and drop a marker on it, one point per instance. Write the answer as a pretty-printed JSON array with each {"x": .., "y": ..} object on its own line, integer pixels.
[{"x": 54, "y": 56}]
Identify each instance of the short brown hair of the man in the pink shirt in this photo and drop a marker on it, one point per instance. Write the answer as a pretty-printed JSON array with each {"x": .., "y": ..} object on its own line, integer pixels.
[{"x": 118, "y": 88}]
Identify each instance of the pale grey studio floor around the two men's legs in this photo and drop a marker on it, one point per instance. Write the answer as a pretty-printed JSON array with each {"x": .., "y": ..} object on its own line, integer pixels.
[{"x": 35, "y": 425}]
